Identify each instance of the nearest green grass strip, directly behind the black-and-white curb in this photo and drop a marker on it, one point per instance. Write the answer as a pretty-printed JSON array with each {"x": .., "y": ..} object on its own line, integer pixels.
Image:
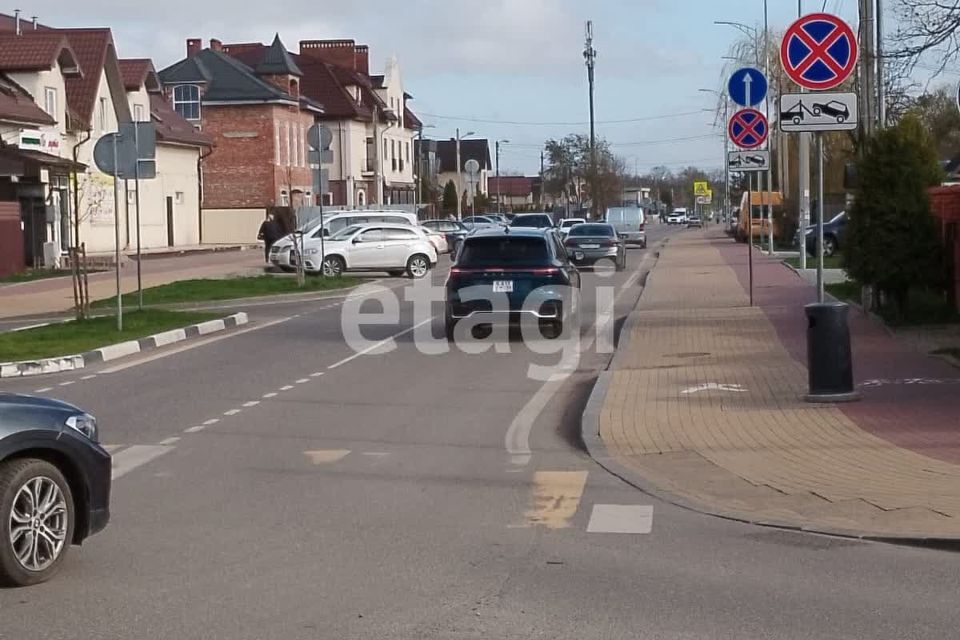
[{"x": 69, "y": 338}]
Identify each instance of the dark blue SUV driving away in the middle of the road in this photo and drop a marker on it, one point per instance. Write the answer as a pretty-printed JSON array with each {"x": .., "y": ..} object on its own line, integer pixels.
[{"x": 527, "y": 268}]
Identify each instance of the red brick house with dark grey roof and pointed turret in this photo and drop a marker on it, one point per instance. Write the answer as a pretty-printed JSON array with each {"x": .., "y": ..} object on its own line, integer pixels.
[{"x": 258, "y": 119}]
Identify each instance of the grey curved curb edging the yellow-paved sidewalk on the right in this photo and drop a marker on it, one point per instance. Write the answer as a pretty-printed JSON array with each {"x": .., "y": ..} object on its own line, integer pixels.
[{"x": 598, "y": 451}]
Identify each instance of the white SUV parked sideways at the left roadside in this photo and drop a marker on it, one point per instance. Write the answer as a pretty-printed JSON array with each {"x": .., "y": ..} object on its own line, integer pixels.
[{"x": 394, "y": 248}]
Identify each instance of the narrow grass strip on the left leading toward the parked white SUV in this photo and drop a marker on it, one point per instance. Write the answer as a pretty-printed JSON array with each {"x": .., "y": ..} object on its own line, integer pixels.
[{"x": 206, "y": 290}]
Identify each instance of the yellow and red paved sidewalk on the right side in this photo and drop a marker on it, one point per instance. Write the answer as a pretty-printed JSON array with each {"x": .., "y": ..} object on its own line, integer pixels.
[{"x": 704, "y": 402}]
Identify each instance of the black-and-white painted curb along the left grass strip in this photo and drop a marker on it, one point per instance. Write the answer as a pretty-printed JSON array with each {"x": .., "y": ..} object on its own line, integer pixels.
[{"x": 120, "y": 350}]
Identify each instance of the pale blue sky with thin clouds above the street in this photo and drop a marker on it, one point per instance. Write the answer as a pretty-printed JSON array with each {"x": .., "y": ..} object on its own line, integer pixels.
[{"x": 503, "y": 69}]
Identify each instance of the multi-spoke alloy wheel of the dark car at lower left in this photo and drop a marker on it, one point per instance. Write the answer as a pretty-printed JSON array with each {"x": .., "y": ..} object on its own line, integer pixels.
[{"x": 36, "y": 521}]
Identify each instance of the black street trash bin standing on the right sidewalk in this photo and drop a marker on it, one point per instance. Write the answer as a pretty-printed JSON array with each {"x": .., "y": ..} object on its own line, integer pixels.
[{"x": 829, "y": 359}]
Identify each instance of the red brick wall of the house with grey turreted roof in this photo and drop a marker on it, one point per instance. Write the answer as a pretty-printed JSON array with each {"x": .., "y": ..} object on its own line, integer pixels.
[{"x": 242, "y": 171}]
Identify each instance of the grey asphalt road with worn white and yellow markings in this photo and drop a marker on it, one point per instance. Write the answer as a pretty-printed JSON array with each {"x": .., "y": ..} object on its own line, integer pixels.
[{"x": 275, "y": 484}]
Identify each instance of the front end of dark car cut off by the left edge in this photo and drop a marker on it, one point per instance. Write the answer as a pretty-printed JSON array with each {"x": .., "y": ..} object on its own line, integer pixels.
[{"x": 54, "y": 485}]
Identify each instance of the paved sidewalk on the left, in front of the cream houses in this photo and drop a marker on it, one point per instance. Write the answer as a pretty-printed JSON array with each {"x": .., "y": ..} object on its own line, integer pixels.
[{"x": 55, "y": 295}]
